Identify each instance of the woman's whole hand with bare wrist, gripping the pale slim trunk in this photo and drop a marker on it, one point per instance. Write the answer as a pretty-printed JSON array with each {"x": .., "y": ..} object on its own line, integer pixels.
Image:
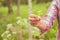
[{"x": 37, "y": 21}]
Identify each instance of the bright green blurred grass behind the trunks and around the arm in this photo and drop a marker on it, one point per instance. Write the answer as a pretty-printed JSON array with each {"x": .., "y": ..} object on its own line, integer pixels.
[{"x": 38, "y": 9}]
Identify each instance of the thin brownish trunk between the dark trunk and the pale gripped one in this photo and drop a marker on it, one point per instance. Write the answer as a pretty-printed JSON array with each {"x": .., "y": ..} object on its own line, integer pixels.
[{"x": 19, "y": 30}]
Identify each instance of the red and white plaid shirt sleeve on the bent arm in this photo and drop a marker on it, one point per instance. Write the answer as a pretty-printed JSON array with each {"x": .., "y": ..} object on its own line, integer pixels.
[{"x": 50, "y": 17}]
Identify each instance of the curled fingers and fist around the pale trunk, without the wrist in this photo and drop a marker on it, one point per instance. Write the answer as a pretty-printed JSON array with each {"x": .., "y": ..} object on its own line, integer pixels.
[{"x": 34, "y": 19}]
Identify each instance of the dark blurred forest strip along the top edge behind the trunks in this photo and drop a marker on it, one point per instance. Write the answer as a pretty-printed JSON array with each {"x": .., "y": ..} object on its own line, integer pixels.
[{"x": 5, "y": 2}]
